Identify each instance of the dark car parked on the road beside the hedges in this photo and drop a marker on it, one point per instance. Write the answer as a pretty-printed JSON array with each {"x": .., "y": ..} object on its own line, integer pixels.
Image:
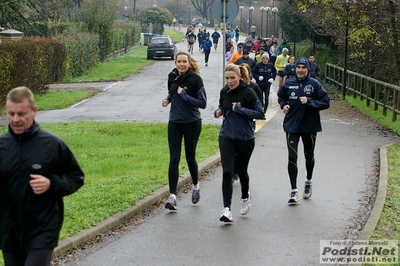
[{"x": 161, "y": 46}]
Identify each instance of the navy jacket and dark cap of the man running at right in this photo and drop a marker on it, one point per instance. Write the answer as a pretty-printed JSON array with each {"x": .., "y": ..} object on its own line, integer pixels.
[{"x": 303, "y": 117}]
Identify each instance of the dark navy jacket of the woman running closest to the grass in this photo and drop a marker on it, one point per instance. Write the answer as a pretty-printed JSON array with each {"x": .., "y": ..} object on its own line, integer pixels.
[{"x": 185, "y": 106}]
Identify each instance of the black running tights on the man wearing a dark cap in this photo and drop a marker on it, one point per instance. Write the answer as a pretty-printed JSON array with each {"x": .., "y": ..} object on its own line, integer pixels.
[{"x": 292, "y": 140}]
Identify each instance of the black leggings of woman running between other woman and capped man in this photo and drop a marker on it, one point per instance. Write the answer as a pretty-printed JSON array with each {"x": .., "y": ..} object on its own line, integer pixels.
[{"x": 241, "y": 152}]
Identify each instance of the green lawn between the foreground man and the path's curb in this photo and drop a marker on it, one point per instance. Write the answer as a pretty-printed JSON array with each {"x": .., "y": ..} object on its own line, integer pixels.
[{"x": 123, "y": 162}]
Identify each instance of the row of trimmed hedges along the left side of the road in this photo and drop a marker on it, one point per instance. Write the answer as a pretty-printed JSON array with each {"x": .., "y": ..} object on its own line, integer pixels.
[{"x": 36, "y": 62}]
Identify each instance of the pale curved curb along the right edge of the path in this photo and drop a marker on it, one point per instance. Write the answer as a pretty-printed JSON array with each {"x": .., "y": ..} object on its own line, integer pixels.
[{"x": 380, "y": 196}]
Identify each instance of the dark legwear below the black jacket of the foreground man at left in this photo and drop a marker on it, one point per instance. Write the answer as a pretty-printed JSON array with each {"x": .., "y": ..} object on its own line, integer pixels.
[{"x": 39, "y": 257}]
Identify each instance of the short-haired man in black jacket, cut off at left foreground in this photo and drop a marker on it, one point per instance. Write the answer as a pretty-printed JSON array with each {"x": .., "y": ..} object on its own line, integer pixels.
[{"x": 37, "y": 170}]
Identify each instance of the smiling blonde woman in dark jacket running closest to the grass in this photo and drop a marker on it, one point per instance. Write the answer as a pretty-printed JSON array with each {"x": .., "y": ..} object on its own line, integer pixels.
[{"x": 186, "y": 94}]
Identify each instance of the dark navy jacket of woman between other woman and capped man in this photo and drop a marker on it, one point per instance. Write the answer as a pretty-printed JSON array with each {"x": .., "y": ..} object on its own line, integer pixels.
[{"x": 238, "y": 124}]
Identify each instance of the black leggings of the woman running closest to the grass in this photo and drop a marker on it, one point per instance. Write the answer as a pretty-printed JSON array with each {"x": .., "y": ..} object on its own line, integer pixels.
[{"x": 191, "y": 133}]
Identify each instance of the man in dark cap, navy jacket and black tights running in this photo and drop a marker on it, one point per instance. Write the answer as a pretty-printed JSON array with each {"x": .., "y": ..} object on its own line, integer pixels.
[{"x": 301, "y": 99}]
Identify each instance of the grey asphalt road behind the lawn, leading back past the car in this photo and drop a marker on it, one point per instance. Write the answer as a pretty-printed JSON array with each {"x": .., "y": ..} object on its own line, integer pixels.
[{"x": 138, "y": 98}]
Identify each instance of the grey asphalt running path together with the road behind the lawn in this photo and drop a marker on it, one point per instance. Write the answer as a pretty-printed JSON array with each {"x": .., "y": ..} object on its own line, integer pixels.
[{"x": 272, "y": 233}]
